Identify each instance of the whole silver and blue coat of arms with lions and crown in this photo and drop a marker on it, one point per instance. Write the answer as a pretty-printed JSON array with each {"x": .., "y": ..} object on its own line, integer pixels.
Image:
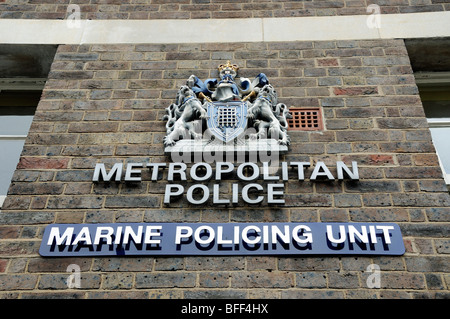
[{"x": 226, "y": 110}]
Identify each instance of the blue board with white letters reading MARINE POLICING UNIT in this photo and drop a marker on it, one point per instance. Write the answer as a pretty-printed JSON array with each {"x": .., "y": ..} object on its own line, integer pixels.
[{"x": 196, "y": 239}]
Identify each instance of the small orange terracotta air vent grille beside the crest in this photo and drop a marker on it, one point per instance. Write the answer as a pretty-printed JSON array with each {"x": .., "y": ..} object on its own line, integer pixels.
[{"x": 305, "y": 119}]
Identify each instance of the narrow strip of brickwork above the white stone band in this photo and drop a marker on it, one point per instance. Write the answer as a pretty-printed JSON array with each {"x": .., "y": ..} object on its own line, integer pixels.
[{"x": 201, "y": 9}]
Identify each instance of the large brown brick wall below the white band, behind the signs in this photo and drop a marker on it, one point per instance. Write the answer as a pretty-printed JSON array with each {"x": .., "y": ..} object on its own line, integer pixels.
[{"x": 104, "y": 103}]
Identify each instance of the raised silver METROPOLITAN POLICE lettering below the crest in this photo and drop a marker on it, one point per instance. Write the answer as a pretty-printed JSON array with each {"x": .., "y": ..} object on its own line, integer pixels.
[{"x": 249, "y": 173}]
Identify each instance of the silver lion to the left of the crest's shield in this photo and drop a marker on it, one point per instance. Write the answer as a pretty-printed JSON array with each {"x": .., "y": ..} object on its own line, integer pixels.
[{"x": 184, "y": 118}]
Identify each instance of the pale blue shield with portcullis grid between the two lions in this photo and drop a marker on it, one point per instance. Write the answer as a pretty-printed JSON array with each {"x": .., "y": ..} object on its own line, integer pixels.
[{"x": 227, "y": 120}]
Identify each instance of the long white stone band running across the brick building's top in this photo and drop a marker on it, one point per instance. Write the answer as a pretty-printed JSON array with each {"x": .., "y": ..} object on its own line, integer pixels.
[{"x": 406, "y": 25}]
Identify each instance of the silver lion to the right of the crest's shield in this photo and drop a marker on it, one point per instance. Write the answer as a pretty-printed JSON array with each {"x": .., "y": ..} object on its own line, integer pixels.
[{"x": 268, "y": 117}]
